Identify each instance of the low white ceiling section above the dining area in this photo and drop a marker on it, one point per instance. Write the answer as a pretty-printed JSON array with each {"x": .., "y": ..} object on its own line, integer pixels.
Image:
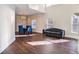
[{"x": 23, "y": 9}]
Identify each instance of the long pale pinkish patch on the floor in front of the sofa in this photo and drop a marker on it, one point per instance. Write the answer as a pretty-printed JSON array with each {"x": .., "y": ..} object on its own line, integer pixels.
[{"x": 47, "y": 42}]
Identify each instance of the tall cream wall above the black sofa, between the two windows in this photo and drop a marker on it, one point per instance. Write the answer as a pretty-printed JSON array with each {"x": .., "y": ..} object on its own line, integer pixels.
[{"x": 61, "y": 16}]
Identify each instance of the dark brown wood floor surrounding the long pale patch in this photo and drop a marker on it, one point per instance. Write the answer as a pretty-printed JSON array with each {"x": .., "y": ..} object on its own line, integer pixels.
[{"x": 21, "y": 47}]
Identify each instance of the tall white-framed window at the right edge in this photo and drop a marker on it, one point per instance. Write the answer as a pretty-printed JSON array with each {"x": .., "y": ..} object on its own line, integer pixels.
[{"x": 75, "y": 24}]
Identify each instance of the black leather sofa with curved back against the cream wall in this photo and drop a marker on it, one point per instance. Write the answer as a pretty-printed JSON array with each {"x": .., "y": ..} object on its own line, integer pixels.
[{"x": 54, "y": 32}]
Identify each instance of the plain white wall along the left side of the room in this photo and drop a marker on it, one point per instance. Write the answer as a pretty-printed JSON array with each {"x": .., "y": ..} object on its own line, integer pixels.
[{"x": 7, "y": 26}]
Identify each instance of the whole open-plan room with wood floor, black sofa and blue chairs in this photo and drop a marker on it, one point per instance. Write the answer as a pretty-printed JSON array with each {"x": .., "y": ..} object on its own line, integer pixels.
[{"x": 39, "y": 28}]
